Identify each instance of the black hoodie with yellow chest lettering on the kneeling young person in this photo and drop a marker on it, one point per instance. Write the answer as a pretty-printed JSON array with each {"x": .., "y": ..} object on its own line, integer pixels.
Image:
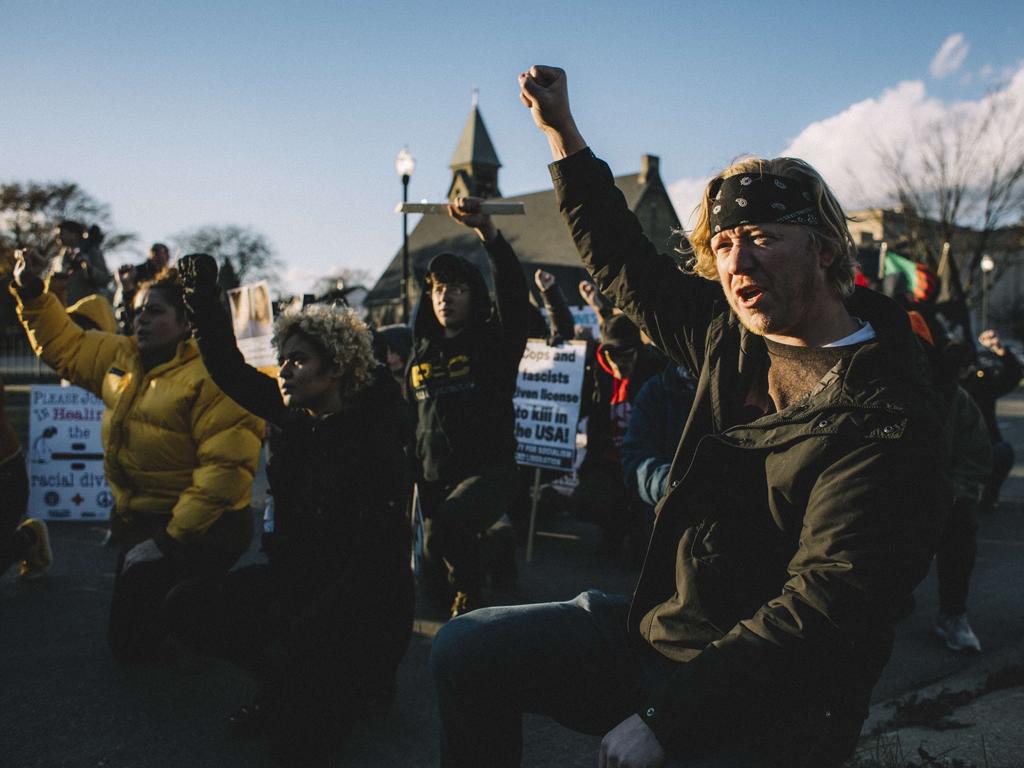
[{"x": 463, "y": 388}]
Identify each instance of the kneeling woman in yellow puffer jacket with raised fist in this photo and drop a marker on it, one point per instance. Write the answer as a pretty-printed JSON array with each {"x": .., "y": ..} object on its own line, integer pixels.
[{"x": 180, "y": 455}]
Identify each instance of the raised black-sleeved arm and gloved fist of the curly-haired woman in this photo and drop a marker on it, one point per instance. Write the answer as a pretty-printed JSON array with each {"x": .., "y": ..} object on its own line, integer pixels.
[{"x": 254, "y": 392}]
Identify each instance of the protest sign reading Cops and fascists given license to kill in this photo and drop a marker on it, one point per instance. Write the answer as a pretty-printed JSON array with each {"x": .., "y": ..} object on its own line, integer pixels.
[{"x": 547, "y": 404}]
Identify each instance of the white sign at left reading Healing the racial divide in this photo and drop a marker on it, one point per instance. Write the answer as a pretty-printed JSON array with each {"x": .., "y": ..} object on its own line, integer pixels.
[{"x": 66, "y": 456}]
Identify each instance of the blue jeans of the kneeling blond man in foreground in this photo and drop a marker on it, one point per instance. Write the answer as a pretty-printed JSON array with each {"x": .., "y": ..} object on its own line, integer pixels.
[{"x": 573, "y": 662}]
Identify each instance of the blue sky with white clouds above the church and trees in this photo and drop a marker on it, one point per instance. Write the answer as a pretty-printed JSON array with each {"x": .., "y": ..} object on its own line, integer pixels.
[{"x": 287, "y": 117}]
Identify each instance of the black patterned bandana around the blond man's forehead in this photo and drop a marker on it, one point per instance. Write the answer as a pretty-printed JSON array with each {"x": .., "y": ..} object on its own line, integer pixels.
[{"x": 761, "y": 199}]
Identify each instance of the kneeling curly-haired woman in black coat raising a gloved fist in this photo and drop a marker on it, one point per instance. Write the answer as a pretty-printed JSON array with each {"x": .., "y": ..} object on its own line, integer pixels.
[{"x": 325, "y": 623}]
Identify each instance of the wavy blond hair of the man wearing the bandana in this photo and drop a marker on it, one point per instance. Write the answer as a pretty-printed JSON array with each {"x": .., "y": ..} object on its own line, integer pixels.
[{"x": 834, "y": 235}]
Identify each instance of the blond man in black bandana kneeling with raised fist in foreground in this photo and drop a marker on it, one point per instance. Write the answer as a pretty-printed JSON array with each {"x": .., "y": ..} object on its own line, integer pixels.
[{"x": 804, "y": 499}]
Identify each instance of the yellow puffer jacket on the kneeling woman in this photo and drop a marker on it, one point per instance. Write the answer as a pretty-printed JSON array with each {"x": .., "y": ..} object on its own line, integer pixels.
[{"x": 174, "y": 443}]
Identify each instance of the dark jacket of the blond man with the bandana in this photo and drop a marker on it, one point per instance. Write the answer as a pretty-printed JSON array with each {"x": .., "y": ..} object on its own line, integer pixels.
[{"x": 785, "y": 546}]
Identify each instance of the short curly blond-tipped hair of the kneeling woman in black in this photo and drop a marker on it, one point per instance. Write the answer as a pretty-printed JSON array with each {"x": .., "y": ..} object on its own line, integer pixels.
[{"x": 342, "y": 334}]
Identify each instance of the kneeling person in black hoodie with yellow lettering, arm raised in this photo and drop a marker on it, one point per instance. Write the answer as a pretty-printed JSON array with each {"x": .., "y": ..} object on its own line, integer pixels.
[{"x": 462, "y": 376}]
